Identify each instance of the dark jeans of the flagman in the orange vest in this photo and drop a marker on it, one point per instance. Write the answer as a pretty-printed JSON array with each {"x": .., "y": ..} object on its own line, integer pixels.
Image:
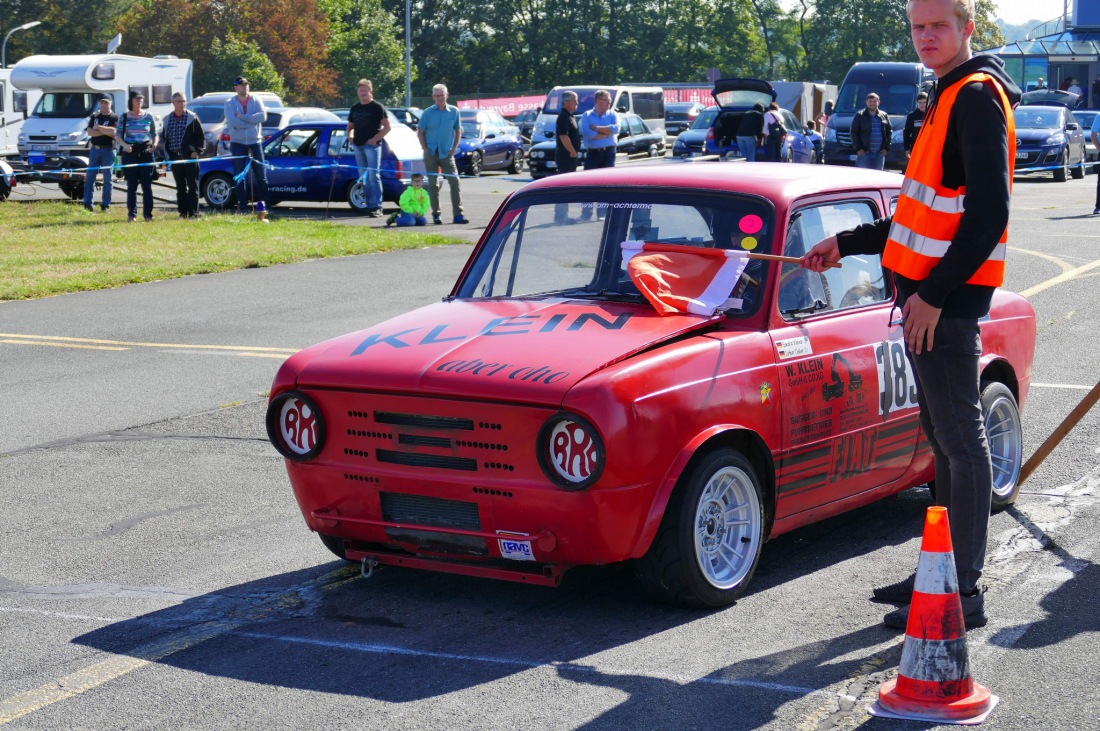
[{"x": 951, "y": 415}]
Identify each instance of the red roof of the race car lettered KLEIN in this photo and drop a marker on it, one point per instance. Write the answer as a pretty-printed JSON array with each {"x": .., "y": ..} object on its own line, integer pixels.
[{"x": 778, "y": 183}]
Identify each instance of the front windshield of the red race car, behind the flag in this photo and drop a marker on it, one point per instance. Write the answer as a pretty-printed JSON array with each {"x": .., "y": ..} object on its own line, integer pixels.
[{"x": 569, "y": 243}]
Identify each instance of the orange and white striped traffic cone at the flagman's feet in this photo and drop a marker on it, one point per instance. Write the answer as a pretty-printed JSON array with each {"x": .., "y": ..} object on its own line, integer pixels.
[{"x": 934, "y": 681}]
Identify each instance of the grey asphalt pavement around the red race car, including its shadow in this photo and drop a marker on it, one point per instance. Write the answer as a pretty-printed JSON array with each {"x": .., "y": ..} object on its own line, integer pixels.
[{"x": 157, "y": 572}]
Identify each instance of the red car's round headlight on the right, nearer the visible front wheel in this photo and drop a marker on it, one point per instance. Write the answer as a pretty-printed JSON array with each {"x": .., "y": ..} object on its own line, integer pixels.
[{"x": 571, "y": 452}]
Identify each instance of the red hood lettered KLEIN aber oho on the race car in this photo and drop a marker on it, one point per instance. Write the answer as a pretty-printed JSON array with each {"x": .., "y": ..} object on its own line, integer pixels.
[{"x": 531, "y": 351}]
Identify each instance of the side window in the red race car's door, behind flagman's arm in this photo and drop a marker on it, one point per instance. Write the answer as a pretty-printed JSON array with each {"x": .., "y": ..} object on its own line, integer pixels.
[{"x": 861, "y": 280}]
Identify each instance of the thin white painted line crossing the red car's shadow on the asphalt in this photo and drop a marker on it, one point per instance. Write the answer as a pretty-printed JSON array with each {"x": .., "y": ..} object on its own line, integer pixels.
[{"x": 375, "y": 649}]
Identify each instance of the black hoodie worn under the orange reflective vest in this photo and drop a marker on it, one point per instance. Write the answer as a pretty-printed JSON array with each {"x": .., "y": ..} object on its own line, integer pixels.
[{"x": 976, "y": 156}]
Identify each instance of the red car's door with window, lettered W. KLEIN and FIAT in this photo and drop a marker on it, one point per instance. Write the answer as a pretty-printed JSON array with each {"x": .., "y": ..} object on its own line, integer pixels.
[{"x": 849, "y": 396}]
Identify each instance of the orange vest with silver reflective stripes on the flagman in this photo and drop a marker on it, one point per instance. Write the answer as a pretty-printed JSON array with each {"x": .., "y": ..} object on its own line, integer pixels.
[{"x": 929, "y": 215}]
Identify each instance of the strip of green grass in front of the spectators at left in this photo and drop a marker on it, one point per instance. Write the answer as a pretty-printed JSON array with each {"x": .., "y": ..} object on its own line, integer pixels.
[{"x": 50, "y": 248}]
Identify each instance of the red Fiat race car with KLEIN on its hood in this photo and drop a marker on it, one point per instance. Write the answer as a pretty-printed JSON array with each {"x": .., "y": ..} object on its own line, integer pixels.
[{"x": 619, "y": 376}]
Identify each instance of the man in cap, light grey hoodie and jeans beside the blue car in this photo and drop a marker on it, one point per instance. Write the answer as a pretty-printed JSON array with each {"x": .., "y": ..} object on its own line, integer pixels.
[{"x": 245, "y": 118}]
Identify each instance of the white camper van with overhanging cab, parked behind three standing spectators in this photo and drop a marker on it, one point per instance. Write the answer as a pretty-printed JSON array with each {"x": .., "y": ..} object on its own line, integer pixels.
[{"x": 56, "y": 137}]
